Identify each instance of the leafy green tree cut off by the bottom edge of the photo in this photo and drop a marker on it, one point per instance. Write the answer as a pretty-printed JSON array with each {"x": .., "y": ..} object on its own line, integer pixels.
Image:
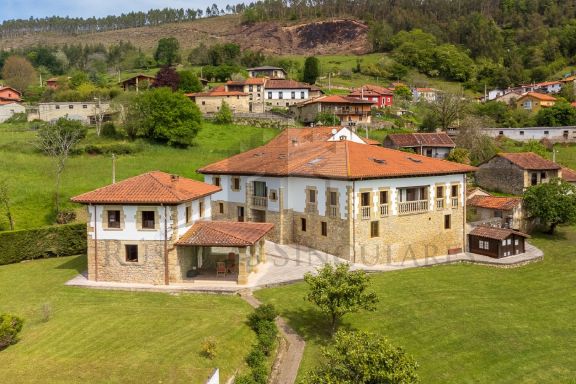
[{"x": 363, "y": 358}]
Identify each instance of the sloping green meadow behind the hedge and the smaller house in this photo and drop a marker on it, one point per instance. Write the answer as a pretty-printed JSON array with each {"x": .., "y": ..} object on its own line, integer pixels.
[{"x": 31, "y": 175}]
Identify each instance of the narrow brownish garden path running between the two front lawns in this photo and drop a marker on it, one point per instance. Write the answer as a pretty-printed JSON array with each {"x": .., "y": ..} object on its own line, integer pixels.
[{"x": 290, "y": 350}]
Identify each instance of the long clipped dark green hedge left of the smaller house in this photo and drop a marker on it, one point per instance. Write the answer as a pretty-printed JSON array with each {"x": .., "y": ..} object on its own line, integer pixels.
[{"x": 60, "y": 240}]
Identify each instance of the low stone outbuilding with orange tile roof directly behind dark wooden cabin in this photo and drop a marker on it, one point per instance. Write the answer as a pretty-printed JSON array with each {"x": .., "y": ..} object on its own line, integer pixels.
[{"x": 505, "y": 211}]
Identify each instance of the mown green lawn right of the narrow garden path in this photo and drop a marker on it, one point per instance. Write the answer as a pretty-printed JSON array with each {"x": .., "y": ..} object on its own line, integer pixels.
[{"x": 467, "y": 323}]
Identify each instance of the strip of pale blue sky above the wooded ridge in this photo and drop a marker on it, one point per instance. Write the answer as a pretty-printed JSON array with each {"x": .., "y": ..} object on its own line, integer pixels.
[{"x": 23, "y": 9}]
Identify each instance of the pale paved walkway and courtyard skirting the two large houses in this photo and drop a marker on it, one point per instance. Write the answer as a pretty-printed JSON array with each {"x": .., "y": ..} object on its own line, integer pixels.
[{"x": 289, "y": 263}]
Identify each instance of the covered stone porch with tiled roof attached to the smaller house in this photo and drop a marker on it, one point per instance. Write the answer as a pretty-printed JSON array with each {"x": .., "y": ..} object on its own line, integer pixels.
[{"x": 220, "y": 252}]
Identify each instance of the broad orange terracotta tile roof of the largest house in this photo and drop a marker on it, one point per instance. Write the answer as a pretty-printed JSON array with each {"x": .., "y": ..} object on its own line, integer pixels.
[{"x": 341, "y": 160}]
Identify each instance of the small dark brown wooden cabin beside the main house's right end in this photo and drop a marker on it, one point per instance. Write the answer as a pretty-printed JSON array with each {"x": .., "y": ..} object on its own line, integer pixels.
[{"x": 496, "y": 242}]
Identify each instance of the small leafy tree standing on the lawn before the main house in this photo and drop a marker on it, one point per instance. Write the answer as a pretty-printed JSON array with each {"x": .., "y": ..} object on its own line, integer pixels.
[{"x": 338, "y": 291}]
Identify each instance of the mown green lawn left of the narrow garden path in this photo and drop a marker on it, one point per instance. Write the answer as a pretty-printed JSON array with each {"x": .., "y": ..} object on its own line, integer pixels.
[{"x": 99, "y": 336}]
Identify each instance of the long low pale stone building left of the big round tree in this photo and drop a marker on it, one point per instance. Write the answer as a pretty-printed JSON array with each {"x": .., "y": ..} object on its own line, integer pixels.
[{"x": 87, "y": 112}]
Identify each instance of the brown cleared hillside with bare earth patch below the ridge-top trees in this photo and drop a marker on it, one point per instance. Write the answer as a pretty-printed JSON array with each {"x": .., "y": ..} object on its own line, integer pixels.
[{"x": 335, "y": 36}]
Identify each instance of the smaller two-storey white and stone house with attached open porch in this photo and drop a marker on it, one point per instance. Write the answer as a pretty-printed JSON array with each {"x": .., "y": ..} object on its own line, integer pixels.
[{"x": 155, "y": 229}]
